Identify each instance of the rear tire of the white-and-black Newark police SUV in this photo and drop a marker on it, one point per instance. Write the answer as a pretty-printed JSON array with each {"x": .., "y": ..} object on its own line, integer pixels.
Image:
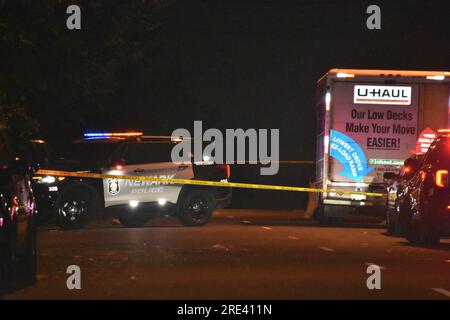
[{"x": 189, "y": 199}]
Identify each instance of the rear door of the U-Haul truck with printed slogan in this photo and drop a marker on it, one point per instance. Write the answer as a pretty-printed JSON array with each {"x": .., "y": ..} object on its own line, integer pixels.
[{"x": 373, "y": 129}]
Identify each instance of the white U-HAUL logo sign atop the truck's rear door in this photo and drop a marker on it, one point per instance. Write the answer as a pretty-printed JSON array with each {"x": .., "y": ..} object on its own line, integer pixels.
[{"x": 363, "y": 94}]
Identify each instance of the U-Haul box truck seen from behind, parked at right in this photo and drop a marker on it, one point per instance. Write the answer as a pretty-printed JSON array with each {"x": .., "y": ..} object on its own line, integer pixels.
[{"x": 368, "y": 123}]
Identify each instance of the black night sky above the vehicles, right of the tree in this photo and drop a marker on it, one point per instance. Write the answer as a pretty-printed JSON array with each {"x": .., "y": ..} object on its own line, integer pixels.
[{"x": 254, "y": 64}]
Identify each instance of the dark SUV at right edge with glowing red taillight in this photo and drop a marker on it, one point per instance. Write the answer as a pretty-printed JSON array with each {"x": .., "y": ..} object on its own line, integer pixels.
[{"x": 425, "y": 202}]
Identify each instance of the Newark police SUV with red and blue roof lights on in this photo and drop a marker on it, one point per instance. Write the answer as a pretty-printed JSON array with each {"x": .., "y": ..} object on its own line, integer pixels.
[{"x": 133, "y": 202}]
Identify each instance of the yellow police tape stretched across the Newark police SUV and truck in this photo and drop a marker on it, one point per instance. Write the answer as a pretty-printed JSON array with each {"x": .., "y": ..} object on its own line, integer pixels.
[{"x": 199, "y": 182}]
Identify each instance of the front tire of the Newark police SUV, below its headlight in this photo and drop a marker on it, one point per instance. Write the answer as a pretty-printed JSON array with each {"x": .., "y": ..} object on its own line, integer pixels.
[{"x": 81, "y": 196}]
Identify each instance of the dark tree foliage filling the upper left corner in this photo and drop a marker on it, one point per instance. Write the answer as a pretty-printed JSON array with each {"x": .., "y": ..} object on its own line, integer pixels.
[{"x": 62, "y": 77}]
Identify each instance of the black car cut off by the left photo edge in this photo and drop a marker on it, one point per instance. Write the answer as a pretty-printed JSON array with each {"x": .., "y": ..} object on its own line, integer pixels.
[{"x": 17, "y": 218}]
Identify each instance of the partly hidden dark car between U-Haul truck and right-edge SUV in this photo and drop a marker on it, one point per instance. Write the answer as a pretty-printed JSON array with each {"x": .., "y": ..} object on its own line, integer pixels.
[{"x": 396, "y": 185}]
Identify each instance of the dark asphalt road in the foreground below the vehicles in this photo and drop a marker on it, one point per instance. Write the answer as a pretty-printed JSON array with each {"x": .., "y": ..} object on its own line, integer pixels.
[{"x": 241, "y": 254}]
